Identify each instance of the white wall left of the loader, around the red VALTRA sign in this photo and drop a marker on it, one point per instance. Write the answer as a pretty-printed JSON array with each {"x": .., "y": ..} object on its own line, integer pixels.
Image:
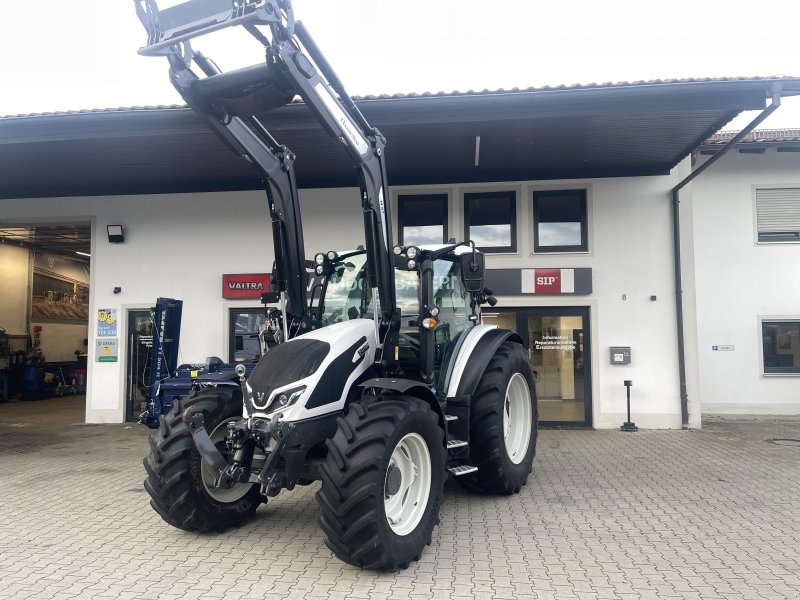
[{"x": 179, "y": 246}]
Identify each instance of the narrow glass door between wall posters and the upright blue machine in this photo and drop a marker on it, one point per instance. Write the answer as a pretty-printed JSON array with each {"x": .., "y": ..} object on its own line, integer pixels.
[{"x": 139, "y": 352}]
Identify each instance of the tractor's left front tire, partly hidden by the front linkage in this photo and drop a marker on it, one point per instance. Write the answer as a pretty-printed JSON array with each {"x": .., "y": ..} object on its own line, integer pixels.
[{"x": 180, "y": 483}]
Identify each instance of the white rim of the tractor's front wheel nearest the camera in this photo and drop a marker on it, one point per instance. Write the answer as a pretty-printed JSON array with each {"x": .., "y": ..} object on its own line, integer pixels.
[{"x": 405, "y": 507}]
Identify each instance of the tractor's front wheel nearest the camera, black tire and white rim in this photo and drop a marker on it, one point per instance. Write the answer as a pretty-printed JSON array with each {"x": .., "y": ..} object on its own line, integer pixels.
[{"x": 383, "y": 482}]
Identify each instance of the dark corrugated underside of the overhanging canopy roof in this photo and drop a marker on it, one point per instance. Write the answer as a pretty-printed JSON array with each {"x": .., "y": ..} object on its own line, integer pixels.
[{"x": 525, "y": 135}]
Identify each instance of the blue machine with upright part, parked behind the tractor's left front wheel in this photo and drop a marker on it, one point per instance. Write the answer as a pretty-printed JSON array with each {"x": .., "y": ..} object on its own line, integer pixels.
[{"x": 170, "y": 382}]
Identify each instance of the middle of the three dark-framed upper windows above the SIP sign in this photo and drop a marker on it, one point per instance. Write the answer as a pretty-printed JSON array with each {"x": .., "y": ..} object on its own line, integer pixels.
[{"x": 490, "y": 220}]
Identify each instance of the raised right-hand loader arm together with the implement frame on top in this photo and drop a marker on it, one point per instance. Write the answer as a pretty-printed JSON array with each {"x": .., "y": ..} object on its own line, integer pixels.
[{"x": 294, "y": 65}]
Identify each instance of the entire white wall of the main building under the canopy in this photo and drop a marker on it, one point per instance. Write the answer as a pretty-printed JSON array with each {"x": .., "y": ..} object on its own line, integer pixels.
[{"x": 180, "y": 245}]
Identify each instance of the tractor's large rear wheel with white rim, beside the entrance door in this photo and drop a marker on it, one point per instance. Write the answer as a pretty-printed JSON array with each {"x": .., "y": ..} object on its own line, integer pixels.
[{"x": 503, "y": 421}]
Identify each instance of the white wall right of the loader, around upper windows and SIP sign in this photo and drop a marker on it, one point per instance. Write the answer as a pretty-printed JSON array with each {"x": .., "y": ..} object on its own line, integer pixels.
[{"x": 630, "y": 253}]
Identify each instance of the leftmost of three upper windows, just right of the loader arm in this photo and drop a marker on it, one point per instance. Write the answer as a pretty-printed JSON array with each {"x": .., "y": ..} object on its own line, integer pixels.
[{"x": 422, "y": 219}]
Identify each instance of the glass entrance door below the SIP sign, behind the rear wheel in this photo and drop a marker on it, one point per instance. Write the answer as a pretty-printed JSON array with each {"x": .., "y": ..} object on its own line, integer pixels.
[{"x": 558, "y": 344}]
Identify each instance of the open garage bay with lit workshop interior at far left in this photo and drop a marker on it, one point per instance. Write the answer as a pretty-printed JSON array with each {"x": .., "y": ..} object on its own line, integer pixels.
[{"x": 44, "y": 317}]
